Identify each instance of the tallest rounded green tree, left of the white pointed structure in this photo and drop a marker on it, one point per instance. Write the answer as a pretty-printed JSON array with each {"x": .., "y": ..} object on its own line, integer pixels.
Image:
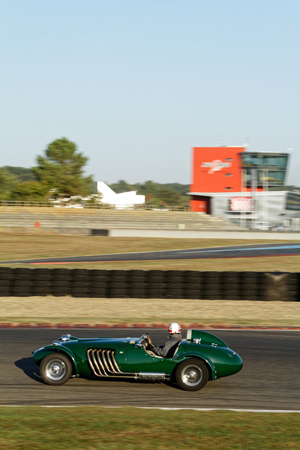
[{"x": 61, "y": 170}]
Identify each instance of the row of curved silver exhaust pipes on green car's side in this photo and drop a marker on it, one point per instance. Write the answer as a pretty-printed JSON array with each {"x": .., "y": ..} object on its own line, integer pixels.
[{"x": 102, "y": 362}]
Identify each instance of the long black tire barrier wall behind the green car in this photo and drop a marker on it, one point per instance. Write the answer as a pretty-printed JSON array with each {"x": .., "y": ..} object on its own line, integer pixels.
[{"x": 165, "y": 284}]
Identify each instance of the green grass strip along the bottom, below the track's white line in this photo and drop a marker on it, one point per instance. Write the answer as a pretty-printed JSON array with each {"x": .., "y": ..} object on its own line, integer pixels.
[{"x": 132, "y": 429}]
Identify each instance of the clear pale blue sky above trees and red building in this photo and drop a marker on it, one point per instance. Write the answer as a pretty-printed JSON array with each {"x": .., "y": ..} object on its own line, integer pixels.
[{"x": 137, "y": 83}]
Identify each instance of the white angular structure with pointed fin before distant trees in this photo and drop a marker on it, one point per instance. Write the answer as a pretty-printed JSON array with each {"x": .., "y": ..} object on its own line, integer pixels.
[{"x": 120, "y": 201}]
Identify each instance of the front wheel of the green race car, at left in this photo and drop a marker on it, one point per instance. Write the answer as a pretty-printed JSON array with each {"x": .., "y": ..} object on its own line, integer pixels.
[{"x": 56, "y": 369}]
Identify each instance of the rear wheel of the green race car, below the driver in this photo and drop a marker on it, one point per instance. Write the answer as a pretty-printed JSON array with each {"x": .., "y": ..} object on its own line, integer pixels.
[{"x": 192, "y": 374}]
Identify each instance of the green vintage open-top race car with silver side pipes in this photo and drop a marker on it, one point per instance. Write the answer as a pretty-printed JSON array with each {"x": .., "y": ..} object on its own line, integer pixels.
[{"x": 197, "y": 359}]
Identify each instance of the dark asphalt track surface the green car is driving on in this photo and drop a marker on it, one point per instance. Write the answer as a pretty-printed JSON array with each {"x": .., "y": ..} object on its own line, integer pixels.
[{"x": 269, "y": 379}]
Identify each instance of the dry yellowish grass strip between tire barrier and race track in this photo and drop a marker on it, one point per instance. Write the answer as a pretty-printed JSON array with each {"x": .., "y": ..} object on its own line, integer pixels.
[{"x": 38, "y": 310}]
